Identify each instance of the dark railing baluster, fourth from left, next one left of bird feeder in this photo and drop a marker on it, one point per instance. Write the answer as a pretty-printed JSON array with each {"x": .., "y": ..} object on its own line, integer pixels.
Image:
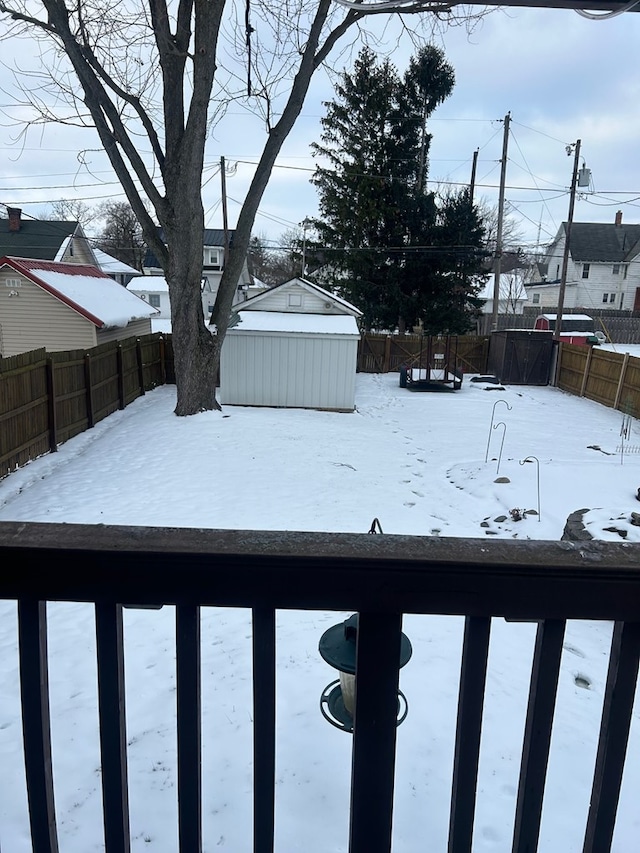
[{"x": 264, "y": 728}]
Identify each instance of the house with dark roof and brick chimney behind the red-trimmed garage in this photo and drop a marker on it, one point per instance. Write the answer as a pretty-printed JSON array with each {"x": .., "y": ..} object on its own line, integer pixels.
[{"x": 45, "y": 240}]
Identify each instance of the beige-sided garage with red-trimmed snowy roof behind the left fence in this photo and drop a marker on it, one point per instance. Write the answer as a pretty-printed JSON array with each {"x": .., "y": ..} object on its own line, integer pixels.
[{"x": 64, "y": 306}]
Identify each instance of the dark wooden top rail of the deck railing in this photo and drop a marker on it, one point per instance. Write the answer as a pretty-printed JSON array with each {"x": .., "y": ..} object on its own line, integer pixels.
[{"x": 388, "y": 573}]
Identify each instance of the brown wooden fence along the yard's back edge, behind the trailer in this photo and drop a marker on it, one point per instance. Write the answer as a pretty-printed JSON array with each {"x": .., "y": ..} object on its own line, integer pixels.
[{"x": 387, "y": 353}]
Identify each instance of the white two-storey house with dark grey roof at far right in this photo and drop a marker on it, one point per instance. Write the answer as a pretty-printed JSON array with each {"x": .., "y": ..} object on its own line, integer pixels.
[{"x": 603, "y": 269}]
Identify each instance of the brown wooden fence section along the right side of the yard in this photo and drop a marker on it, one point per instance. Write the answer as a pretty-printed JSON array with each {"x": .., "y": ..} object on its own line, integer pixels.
[{"x": 610, "y": 378}]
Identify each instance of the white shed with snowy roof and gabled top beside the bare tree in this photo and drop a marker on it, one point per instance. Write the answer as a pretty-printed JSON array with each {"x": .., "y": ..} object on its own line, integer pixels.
[{"x": 295, "y": 346}]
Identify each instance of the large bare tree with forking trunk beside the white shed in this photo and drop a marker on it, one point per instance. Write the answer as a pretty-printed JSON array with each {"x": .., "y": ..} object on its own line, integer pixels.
[{"x": 158, "y": 72}]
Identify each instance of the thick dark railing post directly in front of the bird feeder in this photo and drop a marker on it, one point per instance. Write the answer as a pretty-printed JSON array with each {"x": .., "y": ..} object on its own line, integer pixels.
[{"x": 374, "y": 735}]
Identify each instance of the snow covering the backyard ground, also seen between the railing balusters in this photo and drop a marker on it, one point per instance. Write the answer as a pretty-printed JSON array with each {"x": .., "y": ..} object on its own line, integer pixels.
[{"x": 417, "y": 462}]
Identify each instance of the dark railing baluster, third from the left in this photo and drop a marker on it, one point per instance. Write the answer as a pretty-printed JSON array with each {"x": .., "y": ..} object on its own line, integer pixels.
[{"x": 189, "y": 728}]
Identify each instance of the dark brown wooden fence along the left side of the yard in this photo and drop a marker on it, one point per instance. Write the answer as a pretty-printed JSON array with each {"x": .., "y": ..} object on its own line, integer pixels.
[{"x": 47, "y": 398}]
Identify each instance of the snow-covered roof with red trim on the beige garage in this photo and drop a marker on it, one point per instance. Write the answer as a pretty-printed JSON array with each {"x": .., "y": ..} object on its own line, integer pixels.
[{"x": 84, "y": 289}]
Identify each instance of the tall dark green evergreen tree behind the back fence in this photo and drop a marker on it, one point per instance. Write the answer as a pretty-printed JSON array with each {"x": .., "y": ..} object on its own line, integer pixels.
[{"x": 386, "y": 234}]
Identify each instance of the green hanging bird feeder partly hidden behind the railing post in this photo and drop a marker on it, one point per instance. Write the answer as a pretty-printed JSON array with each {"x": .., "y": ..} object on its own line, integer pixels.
[{"x": 338, "y": 648}]
